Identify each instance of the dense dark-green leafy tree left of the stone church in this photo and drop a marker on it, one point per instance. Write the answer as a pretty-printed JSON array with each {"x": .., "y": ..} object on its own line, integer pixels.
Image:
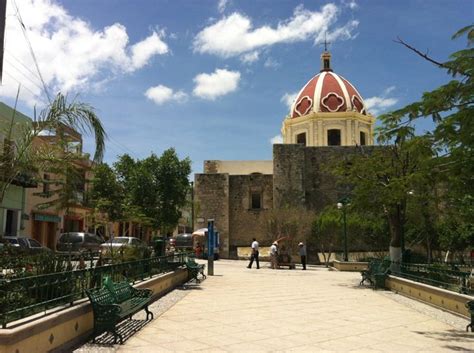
[{"x": 152, "y": 191}]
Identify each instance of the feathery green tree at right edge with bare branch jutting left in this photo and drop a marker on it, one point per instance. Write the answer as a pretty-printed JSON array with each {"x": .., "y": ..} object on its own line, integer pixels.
[{"x": 451, "y": 107}]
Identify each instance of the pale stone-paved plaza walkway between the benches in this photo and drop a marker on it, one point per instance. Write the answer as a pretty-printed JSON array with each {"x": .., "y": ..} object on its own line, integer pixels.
[{"x": 250, "y": 310}]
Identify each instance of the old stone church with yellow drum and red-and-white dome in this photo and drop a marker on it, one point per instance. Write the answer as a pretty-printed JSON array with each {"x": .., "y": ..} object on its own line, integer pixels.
[{"x": 327, "y": 120}]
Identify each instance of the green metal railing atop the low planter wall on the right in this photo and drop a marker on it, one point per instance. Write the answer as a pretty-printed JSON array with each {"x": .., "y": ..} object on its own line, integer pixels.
[{"x": 442, "y": 276}]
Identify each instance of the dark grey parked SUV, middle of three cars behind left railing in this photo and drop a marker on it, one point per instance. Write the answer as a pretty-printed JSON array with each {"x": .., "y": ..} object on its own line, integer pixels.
[{"x": 78, "y": 243}]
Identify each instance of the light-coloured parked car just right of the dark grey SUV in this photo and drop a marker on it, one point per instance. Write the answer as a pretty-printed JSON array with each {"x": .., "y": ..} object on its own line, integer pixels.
[{"x": 124, "y": 248}]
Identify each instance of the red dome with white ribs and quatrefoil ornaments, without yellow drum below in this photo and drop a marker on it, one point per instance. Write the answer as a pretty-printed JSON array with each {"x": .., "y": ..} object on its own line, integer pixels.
[{"x": 327, "y": 92}]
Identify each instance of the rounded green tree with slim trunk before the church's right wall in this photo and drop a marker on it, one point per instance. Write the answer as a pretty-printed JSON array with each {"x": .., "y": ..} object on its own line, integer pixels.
[{"x": 383, "y": 177}]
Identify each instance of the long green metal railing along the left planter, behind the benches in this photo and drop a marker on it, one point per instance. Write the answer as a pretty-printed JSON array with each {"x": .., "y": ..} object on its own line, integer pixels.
[{"x": 29, "y": 295}]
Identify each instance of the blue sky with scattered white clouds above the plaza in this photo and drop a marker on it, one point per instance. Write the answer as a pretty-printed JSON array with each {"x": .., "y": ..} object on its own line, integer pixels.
[{"x": 214, "y": 78}]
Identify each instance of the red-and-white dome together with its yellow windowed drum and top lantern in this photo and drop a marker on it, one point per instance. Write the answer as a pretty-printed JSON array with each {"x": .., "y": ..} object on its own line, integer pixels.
[{"x": 328, "y": 111}]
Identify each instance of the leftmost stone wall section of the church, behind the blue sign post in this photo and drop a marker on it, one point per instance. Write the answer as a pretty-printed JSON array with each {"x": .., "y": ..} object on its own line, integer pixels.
[{"x": 212, "y": 201}]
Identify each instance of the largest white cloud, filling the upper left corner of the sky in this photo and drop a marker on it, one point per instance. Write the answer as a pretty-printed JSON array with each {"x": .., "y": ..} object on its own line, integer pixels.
[{"x": 71, "y": 54}]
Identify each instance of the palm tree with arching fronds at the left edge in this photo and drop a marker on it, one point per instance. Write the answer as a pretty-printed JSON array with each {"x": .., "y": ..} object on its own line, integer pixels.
[{"x": 20, "y": 155}]
